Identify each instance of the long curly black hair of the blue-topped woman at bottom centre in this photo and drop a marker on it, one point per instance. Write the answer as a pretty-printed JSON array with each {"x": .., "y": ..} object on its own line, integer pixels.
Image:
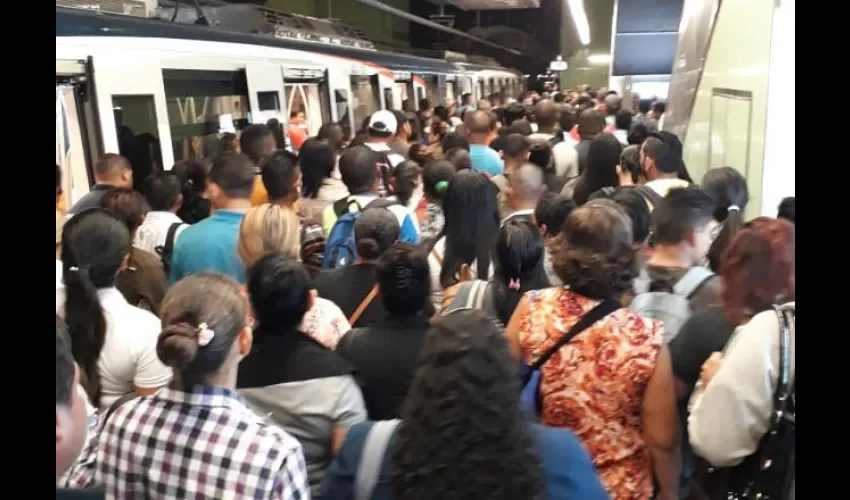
[{"x": 463, "y": 434}]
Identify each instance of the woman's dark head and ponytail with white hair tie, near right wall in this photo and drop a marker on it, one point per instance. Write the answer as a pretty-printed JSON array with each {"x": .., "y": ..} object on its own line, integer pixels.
[{"x": 728, "y": 189}]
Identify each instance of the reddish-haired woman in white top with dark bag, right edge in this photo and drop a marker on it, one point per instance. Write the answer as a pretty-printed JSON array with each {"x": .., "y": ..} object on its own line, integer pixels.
[{"x": 733, "y": 402}]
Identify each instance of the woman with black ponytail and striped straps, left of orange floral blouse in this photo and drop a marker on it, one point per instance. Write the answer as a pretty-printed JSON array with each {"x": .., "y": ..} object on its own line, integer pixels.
[{"x": 518, "y": 259}]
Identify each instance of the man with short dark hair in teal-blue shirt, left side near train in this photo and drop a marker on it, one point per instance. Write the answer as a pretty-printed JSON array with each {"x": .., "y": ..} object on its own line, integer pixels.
[{"x": 210, "y": 245}]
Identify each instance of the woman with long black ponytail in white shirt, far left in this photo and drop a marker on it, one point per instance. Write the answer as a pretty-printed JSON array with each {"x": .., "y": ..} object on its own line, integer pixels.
[{"x": 114, "y": 343}]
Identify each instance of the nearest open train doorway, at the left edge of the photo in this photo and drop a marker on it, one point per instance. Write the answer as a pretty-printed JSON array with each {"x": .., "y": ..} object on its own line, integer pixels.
[{"x": 76, "y": 75}]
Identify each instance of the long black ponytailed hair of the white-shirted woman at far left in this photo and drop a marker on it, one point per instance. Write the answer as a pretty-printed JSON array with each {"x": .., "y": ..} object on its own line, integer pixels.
[{"x": 95, "y": 243}]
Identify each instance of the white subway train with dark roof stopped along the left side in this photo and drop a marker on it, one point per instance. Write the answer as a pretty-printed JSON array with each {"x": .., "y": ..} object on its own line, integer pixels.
[{"x": 160, "y": 91}]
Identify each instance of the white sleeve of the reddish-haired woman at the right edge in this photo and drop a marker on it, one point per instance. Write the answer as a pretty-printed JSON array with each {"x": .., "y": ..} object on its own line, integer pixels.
[{"x": 731, "y": 415}]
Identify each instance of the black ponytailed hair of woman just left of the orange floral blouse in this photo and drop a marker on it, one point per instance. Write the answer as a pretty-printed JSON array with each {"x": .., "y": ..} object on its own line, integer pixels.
[{"x": 518, "y": 259}]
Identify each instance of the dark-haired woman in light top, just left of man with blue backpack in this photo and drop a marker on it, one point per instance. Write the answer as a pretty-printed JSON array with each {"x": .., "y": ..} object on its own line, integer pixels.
[{"x": 319, "y": 187}]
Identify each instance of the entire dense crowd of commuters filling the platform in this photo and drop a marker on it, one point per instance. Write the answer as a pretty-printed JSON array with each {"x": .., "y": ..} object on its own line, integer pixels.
[{"x": 367, "y": 318}]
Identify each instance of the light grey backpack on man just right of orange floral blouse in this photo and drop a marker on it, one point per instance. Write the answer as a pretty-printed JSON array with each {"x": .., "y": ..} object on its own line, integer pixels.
[{"x": 673, "y": 309}]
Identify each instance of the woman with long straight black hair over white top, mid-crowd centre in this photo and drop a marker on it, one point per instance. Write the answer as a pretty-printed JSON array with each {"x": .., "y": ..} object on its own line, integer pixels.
[{"x": 461, "y": 251}]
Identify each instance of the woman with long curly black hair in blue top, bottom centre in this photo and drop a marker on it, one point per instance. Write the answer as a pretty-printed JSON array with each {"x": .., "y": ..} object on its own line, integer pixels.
[{"x": 462, "y": 434}]
